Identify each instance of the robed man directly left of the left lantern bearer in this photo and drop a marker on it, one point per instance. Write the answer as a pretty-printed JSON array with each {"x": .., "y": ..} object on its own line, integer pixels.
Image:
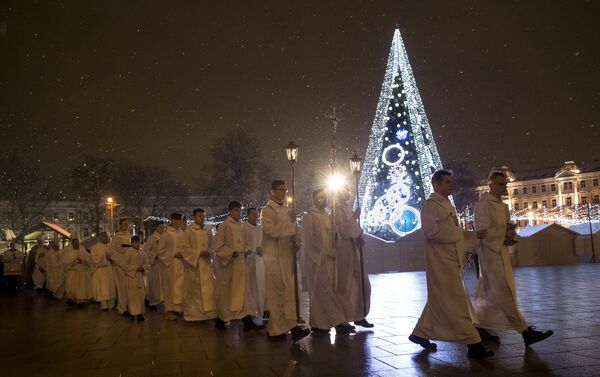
[{"x": 255, "y": 263}]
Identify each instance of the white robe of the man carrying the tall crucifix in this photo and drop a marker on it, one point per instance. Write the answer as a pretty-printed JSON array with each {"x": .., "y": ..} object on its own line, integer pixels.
[{"x": 326, "y": 309}]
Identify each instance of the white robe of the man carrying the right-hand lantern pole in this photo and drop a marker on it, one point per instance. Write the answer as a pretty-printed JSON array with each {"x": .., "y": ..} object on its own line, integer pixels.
[{"x": 349, "y": 282}]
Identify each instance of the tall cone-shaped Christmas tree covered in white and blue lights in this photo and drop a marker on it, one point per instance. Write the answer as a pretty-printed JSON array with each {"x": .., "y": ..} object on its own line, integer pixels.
[{"x": 401, "y": 156}]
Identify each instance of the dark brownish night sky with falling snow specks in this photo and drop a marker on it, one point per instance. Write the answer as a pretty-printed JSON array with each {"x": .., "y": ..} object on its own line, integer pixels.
[{"x": 502, "y": 82}]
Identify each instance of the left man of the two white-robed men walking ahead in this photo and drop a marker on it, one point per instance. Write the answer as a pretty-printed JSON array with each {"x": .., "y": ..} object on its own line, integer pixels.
[{"x": 447, "y": 313}]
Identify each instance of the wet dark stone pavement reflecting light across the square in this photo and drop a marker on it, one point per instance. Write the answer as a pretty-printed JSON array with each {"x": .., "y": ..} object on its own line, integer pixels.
[{"x": 40, "y": 336}]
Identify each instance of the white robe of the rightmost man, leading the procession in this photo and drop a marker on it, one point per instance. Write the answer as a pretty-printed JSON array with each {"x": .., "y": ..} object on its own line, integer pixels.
[{"x": 496, "y": 304}]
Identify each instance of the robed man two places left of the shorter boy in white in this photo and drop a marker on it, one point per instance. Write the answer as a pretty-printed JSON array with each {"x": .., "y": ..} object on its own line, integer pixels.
[{"x": 103, "y": 278}]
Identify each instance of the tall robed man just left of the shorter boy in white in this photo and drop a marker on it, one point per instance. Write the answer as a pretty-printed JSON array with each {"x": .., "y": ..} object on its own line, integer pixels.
[{"x": 118, "y": 245}]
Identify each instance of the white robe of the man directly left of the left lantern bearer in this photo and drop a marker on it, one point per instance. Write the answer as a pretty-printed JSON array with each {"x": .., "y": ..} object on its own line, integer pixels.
[{"x": 256, "y": 266}]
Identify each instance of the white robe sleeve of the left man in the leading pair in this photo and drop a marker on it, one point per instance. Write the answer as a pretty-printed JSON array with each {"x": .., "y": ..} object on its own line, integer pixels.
[{"x": 438, "y": 225}]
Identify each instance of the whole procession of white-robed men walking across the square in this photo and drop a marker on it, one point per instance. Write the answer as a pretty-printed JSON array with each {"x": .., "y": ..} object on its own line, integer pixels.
[{"x": 249, "y": 270}]
